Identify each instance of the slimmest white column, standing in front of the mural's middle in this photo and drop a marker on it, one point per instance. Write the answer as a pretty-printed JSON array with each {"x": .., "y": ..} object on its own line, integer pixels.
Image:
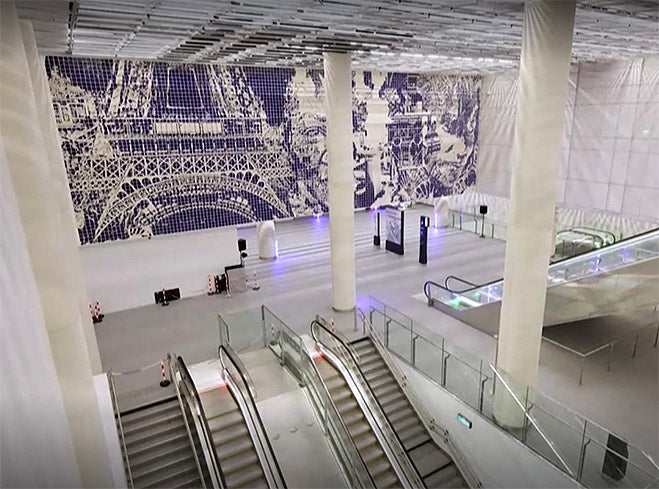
[{"x": 338, "y": 107}]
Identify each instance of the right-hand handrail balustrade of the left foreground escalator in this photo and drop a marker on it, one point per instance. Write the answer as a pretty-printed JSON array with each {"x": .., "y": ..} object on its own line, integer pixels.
[{"x": 237, "y": 381}]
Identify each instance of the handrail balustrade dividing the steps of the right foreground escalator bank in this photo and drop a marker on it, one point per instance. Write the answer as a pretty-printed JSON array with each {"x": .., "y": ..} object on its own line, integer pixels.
[{"x": 390, "y": 440}]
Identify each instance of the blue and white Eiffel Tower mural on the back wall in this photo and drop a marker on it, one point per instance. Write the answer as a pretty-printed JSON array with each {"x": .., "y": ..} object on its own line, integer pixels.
[{"x": 158, "y": 148}]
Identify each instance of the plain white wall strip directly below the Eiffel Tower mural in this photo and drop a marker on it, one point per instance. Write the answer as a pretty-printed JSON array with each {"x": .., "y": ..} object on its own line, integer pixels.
[{"x": 125, "y": 274}]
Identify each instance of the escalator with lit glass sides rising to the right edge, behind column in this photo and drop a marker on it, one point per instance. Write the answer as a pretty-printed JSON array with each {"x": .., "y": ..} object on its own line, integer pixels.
[{"x": 610, "y": 280}]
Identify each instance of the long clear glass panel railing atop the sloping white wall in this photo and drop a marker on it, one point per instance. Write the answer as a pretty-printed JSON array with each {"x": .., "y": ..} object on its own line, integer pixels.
[{"x": 592, "y": 455}]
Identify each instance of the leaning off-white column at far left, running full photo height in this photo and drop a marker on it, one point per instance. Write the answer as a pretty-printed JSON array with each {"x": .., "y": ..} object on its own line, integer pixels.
[{"x": 51, "y": 253}]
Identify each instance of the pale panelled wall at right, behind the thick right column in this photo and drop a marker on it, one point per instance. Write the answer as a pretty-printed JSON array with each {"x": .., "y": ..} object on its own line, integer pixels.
[{"x": 610, "y": 150}]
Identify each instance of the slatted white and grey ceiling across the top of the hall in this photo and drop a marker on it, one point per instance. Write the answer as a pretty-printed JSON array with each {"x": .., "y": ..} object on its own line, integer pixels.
[{"x": 407, "y": 35}]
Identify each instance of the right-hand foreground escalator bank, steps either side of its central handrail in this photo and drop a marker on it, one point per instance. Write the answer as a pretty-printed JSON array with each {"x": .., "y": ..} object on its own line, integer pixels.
[{"x": 399, "y": 450}]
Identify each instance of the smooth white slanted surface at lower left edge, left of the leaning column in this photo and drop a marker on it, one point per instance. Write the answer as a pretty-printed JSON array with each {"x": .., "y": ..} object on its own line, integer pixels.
[{"x": 35, "y": 442}]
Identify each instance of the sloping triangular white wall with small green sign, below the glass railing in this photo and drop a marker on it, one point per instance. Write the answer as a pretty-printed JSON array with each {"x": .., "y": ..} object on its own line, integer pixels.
[{"x": 497, "y": 458}]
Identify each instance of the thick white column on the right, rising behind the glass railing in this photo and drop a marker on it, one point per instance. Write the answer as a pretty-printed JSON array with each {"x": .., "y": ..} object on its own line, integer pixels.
[{"x": 543, "y": 83}]
